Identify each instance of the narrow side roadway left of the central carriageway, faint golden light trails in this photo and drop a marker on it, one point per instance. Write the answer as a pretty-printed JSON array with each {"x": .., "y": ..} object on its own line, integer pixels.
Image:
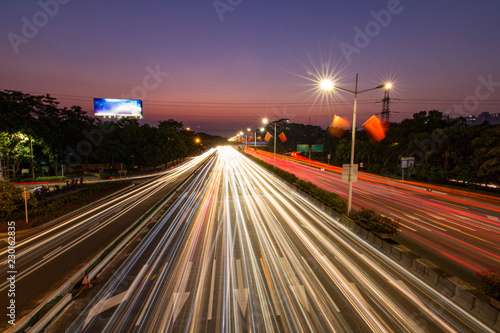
[{"x": 47, "y": 258}]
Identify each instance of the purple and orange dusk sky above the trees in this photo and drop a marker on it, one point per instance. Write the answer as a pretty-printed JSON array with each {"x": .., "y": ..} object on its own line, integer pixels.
[{"x": 228, "y": 69}]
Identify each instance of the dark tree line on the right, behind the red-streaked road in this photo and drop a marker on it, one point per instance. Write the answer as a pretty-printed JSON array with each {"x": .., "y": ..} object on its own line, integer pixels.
[{"x": 443, "y": 148}]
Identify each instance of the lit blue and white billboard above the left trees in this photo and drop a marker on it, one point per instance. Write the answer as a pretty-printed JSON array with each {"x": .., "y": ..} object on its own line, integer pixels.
[{"x": 109, "y": 107}]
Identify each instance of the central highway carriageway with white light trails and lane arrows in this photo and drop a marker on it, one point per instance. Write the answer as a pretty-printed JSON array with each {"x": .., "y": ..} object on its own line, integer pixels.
[{"x": 241, "y": 251}]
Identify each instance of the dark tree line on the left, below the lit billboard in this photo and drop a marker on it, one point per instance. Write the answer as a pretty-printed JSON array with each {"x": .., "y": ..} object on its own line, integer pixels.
[{"x": 57, "y": 136}]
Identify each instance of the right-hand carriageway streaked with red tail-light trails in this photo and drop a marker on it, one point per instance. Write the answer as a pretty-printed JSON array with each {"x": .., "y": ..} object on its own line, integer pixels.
[{"x": 459, "y": 234}]
